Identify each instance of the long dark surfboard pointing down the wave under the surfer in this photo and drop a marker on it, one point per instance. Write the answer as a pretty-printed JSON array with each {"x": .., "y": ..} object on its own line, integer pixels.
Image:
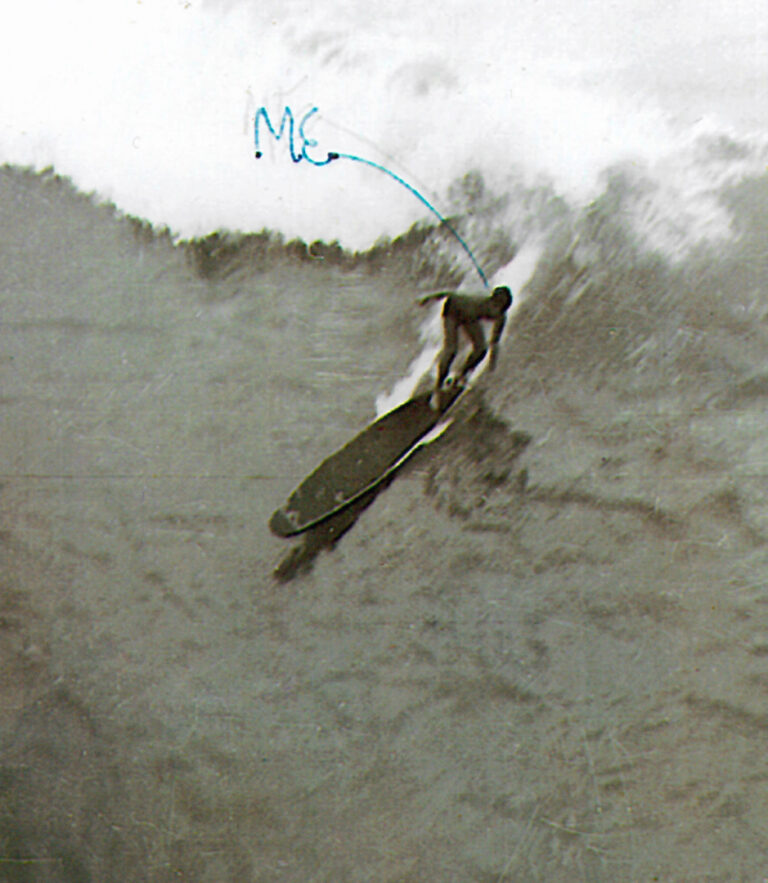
[{"x": 362, "y": 464}]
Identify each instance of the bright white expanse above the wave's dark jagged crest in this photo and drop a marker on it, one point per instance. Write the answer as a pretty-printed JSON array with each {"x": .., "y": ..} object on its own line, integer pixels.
[{"x": 481, "y": 110}]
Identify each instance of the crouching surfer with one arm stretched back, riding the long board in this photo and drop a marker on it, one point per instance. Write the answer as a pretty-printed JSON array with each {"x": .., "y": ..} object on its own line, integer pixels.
[{"x": 467, "y": 311}]
